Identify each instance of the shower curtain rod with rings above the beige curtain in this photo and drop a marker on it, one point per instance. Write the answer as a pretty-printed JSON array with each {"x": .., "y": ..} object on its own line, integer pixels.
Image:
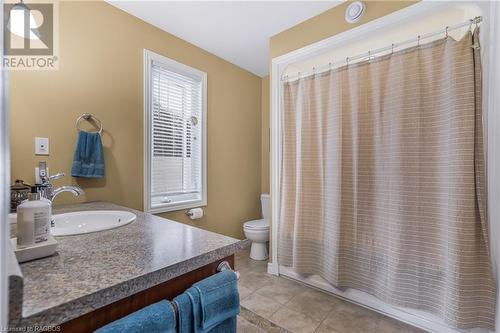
[{"x": 371, "y": 54}]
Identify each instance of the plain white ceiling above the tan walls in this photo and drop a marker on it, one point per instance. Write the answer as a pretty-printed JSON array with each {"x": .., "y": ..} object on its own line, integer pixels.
[{"x": 237, "y": 31}]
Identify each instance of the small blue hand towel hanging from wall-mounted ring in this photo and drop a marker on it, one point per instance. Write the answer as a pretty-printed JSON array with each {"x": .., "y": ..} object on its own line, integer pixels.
[{"x": 88, "y": 160}]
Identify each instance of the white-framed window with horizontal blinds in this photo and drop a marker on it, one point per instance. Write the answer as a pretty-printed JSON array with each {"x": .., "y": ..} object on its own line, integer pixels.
[{"x": 175, "y": 135}]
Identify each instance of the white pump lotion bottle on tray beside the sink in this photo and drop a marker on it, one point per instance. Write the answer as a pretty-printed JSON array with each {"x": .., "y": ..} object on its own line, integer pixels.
[{"x": 33, "y": 220}]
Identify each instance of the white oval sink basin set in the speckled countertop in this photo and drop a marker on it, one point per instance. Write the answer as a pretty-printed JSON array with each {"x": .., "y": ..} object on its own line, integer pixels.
[{"x": 84, "y": 222}]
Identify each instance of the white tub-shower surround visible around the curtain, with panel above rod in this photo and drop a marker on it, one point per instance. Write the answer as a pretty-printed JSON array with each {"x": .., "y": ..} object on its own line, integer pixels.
[{"x": 371, "y": 36}]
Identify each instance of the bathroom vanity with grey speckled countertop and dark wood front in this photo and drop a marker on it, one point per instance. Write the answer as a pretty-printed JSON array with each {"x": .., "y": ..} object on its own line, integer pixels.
[{"x": 96, "y": 278}]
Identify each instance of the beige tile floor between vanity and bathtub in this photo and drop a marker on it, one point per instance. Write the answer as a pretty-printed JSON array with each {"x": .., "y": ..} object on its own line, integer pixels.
[{"x": 300, "y": 309}]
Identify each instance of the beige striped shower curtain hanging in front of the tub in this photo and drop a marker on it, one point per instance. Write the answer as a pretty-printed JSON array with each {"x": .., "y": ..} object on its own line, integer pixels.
[{"x": 382, "y": 185}]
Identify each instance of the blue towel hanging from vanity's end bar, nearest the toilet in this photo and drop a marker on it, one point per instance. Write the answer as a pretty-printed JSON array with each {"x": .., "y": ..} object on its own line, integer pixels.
[{"x": 210, "y": 305}]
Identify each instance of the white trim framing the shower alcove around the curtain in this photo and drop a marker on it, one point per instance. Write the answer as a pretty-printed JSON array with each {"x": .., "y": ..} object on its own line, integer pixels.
[{"x": 491, "y": 84}]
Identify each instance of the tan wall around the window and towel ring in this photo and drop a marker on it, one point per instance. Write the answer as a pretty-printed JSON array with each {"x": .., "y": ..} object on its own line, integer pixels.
[{"x": 101, "y": 69}]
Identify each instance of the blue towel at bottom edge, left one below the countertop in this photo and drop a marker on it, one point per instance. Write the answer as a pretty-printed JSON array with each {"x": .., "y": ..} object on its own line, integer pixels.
[{"x": 155, "y": 318}]
